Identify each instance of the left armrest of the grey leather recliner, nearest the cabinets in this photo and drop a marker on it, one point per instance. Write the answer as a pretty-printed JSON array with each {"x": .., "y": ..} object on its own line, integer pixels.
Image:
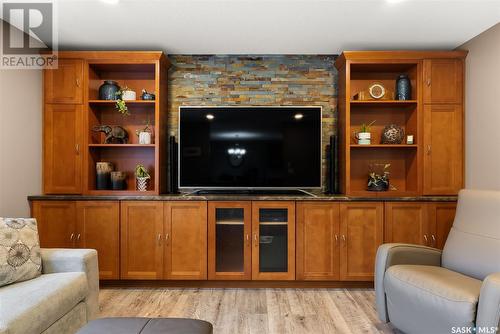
[{"x": 392, "y": 254}]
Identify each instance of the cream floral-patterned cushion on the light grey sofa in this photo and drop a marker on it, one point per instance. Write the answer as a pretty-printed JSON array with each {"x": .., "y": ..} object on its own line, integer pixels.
[{"x": 20, "y": 258}]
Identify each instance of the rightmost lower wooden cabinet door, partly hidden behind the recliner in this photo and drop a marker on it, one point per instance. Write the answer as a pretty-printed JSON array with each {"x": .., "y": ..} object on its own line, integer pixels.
[{"x": 441, "y": 216}]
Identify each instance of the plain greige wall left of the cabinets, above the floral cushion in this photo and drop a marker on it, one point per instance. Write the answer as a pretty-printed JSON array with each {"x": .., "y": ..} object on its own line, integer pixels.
[{"x": 20, "y": 140}]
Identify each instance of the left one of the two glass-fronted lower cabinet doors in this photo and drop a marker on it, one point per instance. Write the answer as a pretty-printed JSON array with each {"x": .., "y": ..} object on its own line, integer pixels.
[{"x": 229, "y": 242}]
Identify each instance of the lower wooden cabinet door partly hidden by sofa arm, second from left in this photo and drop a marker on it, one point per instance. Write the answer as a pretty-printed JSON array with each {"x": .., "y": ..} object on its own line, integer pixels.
[{"x": 98, "y": 227}]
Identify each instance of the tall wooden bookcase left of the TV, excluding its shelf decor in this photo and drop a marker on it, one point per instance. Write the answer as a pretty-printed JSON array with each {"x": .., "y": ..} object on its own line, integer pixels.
[{"x": 72, "y": 108}]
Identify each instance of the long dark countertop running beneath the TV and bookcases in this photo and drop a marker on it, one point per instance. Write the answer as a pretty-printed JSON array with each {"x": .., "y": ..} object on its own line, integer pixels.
[{"x": 239, "y": 197}]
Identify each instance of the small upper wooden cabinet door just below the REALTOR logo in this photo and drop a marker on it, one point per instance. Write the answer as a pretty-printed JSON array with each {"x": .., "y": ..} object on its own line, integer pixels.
[{"x": 64, "y": 84}]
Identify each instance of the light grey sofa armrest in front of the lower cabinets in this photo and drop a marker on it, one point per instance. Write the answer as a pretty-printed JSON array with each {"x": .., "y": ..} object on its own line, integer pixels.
[{"x": 58, "y": 260}]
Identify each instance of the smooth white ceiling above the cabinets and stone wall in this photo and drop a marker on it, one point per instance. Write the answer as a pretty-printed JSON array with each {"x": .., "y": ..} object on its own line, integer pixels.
[{"x": 272, "y": 26}]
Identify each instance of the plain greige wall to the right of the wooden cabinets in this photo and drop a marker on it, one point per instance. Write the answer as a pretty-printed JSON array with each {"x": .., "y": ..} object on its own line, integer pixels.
[{"x": 482, "y": 117}]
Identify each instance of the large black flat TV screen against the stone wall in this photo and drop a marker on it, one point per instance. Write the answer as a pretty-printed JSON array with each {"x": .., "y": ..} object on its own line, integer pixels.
[{"x": 250, "y": 147}]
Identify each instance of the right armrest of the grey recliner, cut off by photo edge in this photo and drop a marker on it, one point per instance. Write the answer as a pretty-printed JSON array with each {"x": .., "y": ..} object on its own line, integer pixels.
[{"x": 488, "y": 311}]
